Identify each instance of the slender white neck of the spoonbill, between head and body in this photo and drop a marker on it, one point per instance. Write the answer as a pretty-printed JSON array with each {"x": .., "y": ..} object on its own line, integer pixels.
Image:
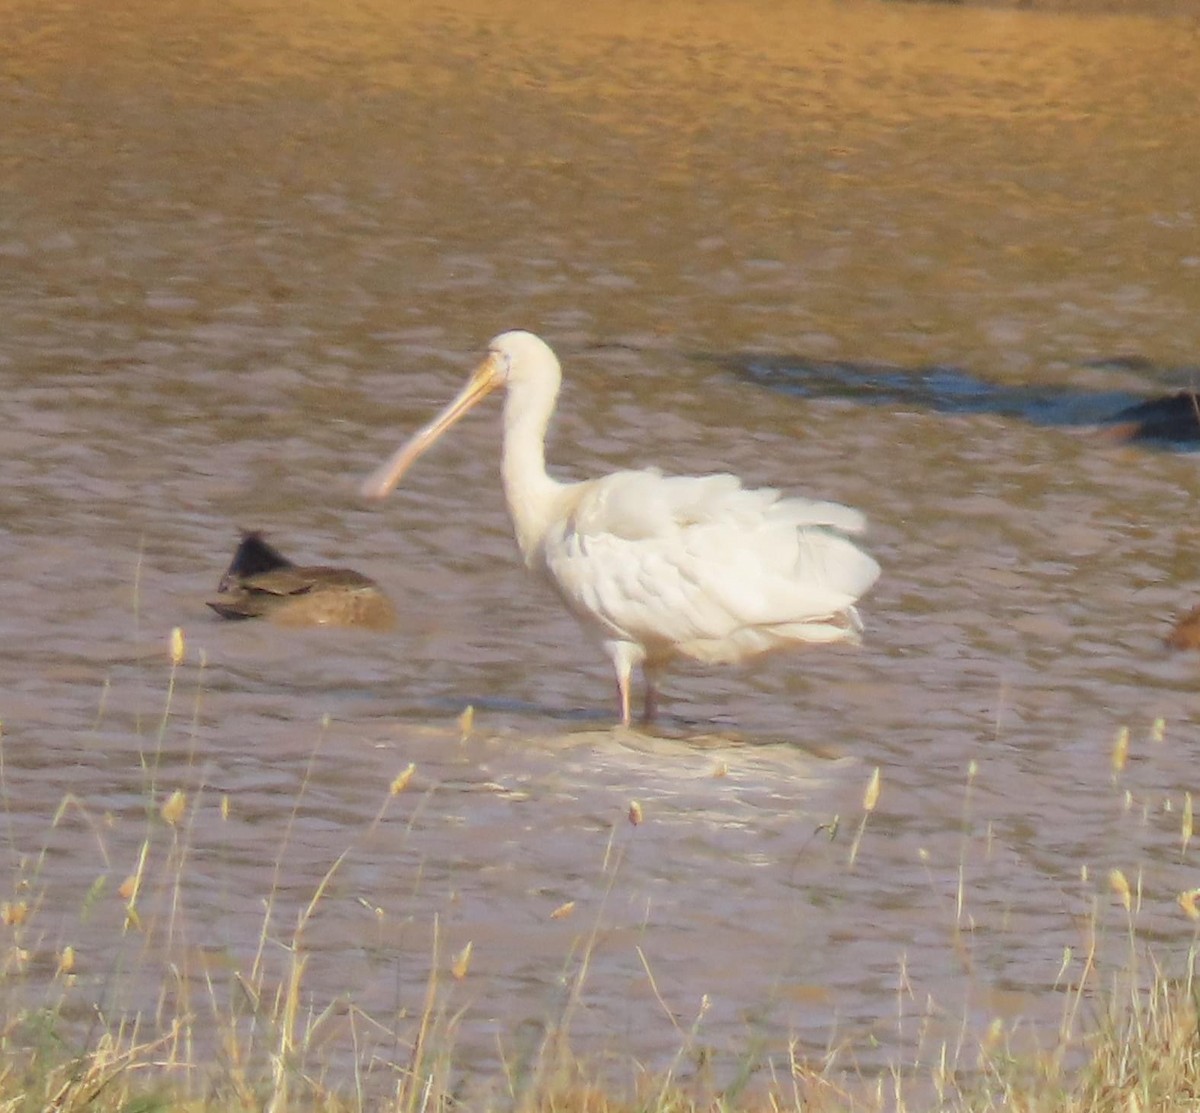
[{"x": 531, "y": 492}]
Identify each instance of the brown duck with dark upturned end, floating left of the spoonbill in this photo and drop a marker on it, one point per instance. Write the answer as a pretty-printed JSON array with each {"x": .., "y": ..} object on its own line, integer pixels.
[{"x": 262, "y": 583}]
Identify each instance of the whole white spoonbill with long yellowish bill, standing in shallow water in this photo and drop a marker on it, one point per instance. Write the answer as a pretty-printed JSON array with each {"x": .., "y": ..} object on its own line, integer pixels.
[{"x": 659, "y": 567}]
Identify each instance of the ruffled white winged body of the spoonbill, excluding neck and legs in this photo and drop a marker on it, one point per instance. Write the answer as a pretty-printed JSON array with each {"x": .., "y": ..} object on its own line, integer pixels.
[{"x": 705, "y": 568}]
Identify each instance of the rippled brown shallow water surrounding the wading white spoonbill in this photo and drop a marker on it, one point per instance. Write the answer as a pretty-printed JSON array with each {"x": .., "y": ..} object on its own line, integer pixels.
[{"x": 897, "y": 256}]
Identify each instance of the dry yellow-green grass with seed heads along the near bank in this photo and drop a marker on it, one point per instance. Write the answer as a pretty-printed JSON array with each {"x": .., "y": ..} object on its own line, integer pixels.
[{"x": 1129, "y": 1039}]
